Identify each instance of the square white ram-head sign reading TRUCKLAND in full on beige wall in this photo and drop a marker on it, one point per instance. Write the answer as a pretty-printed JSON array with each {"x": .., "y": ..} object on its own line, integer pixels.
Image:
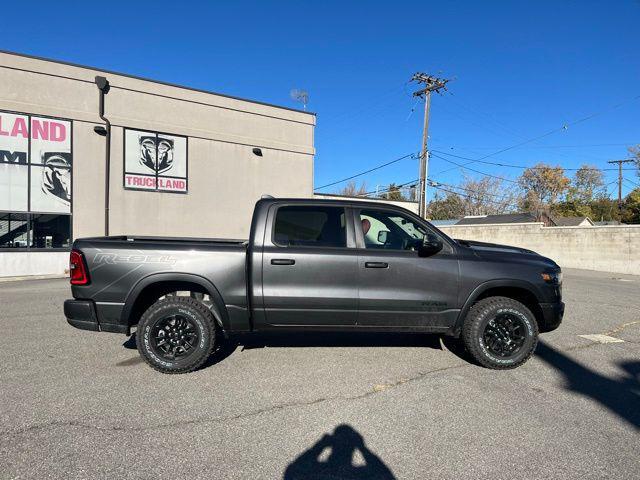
[{"x": 155, "y": 161}]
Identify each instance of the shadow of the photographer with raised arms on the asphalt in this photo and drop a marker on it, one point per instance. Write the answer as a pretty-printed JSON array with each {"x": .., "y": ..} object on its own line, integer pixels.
[{"x": 342, "y": 454}]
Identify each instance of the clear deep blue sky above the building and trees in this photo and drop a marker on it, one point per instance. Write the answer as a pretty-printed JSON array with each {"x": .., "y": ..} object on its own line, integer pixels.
[{"x": 520, "y": 69}]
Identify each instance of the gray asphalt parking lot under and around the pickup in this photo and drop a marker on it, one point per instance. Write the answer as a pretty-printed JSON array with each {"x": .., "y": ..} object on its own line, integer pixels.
[{"x": 77, "y": 404}]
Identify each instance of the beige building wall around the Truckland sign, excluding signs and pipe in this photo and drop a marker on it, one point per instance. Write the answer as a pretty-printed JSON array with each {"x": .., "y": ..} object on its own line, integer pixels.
[{"x": 225, "y": 178}]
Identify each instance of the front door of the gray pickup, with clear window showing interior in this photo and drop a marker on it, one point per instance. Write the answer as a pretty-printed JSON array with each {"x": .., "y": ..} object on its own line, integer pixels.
[{"x": 397, "y": 288}]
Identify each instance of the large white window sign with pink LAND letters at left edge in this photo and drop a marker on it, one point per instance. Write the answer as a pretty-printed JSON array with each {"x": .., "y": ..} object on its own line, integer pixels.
[{"x": 35, "y": 163}]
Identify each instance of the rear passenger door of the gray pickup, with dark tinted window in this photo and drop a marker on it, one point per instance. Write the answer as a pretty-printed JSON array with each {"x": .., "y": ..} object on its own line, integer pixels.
[{"x": 309, "y": 271}]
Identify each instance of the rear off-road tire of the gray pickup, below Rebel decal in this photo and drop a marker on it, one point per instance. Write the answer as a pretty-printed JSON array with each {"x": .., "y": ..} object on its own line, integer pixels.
[{"x": 201, "y": 318}]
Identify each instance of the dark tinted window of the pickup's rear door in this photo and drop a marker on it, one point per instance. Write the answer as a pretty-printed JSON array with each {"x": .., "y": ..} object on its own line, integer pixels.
[{"x": 310, "y": 226}]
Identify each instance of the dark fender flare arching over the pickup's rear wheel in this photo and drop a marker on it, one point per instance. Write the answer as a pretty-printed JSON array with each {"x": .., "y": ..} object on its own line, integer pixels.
[{"x": 218, "y": 308}]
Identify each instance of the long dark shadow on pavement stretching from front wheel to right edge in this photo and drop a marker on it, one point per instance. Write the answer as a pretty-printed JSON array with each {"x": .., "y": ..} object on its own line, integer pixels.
[{"x": 620, "y": 396}]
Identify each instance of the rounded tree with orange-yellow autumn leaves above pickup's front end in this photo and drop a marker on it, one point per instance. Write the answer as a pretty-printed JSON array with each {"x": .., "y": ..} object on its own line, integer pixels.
[{"x": 543, "y": 185}]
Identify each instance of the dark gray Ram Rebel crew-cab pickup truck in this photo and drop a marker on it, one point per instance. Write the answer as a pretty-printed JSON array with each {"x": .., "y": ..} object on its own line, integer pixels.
[{"x": 314, "y": 265}]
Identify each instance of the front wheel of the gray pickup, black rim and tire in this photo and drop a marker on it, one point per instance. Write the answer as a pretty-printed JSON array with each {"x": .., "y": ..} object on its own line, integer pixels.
[{"x": 500, "y": 333}]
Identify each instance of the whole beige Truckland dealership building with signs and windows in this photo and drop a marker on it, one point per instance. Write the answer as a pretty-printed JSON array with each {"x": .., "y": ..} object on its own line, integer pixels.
[{"x": 182, "y": 162}]
